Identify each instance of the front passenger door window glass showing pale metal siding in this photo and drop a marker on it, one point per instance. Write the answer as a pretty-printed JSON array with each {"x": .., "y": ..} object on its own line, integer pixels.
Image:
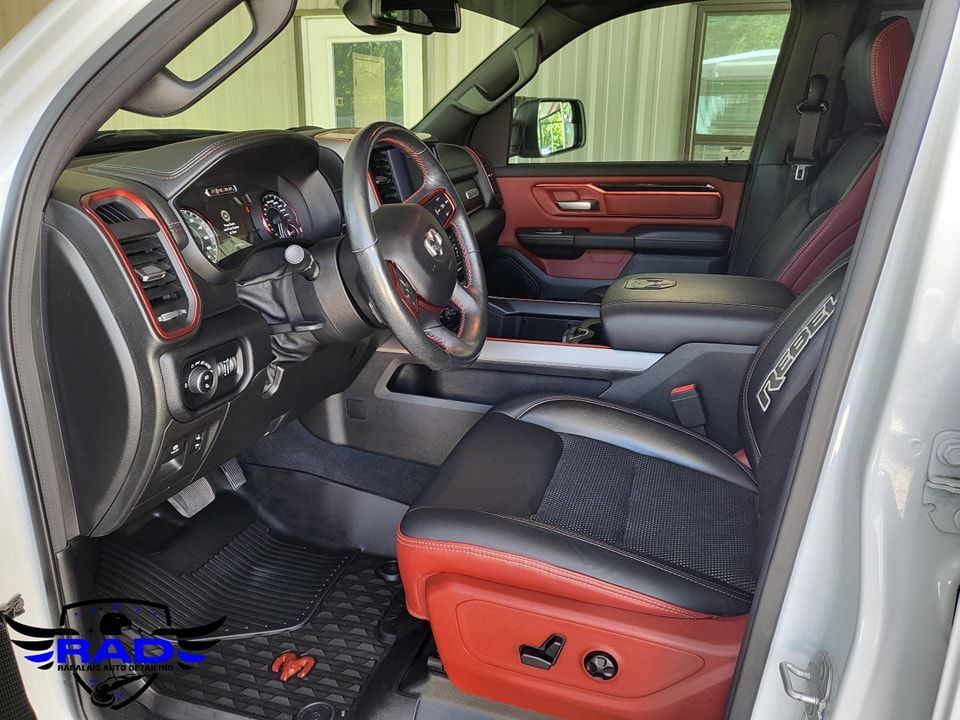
[{"x": 677, "y": 83}]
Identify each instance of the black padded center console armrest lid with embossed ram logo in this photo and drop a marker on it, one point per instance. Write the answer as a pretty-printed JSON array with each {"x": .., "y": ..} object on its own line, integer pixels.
[{"x": 659, "y": 313}]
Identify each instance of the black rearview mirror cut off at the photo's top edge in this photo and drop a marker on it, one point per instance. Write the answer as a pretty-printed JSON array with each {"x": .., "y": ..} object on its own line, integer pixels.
[{"x": 419, "y": 16}]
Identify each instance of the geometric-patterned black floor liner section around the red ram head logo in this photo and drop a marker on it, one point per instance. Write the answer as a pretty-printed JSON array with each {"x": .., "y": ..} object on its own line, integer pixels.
[{"x": 341, "y": 636}]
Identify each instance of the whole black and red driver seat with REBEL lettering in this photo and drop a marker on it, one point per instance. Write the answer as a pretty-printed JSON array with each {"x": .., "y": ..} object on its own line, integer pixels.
[{"x": 586, "y": 560}]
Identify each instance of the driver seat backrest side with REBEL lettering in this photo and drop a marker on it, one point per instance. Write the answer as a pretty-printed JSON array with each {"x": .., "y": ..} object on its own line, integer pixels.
[{"x": 776, "y": 389}]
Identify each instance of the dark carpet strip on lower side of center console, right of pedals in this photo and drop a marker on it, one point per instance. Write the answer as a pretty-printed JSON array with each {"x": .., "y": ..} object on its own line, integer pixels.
[{"x": 295, "y": 448}]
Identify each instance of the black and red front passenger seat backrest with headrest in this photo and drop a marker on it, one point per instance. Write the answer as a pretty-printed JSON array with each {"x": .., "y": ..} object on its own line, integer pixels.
[{"x": 822, "y": 221}]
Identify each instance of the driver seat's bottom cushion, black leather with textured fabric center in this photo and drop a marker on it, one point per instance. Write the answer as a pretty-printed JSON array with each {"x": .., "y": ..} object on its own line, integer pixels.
[{"x": 615, "y": 496}]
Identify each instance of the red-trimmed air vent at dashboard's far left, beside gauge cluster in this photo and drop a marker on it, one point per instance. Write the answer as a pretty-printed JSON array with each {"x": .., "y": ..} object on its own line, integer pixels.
[{"x": 151, "y": 259}]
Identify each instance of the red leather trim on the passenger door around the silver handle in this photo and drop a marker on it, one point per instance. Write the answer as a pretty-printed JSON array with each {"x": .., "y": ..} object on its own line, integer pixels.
[{"x": 529, "y": 202}]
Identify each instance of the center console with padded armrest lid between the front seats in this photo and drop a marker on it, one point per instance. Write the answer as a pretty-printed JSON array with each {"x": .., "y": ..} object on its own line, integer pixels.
[{"x": 651, "y": 335}]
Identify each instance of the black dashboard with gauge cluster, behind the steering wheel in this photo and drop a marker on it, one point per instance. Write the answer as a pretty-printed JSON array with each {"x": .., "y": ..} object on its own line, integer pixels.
[{"x": 147, "y": 253}]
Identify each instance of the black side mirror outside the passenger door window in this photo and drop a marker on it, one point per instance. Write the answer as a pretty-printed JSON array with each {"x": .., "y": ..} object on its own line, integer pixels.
[{"x": 546, "y": 126}]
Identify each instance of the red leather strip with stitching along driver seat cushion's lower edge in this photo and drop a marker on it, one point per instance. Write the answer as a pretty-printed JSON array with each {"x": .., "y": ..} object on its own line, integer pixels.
[{"x": 421, "y": 559}]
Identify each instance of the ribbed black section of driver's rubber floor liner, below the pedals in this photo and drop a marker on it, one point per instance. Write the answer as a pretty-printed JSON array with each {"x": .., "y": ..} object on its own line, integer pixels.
[{"x": 261, "y": 583}]
